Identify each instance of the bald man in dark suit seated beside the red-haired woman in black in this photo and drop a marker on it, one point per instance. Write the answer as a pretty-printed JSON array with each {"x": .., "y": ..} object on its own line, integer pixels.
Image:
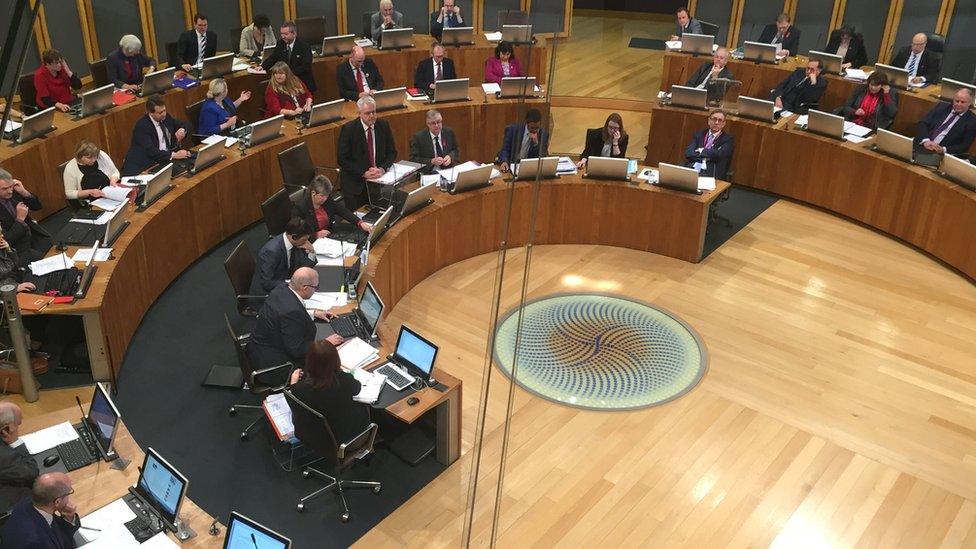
[{"x": 285, "y": 329}]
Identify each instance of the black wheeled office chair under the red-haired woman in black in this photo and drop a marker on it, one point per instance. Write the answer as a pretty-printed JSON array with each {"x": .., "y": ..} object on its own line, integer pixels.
[{"x": 314, "y": 431}]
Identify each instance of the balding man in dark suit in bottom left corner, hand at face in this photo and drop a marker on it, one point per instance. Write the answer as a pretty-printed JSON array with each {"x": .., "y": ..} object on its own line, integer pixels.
[{"x": 46, "y": 520}]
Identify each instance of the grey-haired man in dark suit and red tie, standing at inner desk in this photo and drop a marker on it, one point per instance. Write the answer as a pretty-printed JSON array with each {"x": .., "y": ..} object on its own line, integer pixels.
[{"x": 365, "y": 151}]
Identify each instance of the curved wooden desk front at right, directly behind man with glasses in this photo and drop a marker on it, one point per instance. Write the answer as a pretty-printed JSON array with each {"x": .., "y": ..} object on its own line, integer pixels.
[{"x": 908, "y": 202}]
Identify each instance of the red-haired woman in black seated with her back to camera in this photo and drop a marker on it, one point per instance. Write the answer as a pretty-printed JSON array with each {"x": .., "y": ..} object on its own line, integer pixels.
[{"x": 323, "y": 386}]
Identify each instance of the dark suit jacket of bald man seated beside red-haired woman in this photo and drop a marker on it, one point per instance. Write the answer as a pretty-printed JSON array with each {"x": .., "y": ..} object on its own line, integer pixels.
[{"x": 283, "y": 331}]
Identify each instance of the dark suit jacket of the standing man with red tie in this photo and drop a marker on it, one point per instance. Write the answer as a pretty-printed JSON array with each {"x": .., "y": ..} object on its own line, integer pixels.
[{"x": 353, "y": 158}]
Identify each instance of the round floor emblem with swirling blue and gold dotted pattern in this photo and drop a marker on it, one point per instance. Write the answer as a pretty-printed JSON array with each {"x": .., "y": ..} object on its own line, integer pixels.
[{"x": 601, "y": 352}]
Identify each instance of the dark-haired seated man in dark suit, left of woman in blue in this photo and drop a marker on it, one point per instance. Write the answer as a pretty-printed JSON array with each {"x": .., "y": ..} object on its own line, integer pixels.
[{"x": 155, "y": 140}]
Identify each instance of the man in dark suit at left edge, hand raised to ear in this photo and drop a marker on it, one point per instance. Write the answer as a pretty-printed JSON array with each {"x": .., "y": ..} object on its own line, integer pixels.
[{"x": 28, "y": 238}]
